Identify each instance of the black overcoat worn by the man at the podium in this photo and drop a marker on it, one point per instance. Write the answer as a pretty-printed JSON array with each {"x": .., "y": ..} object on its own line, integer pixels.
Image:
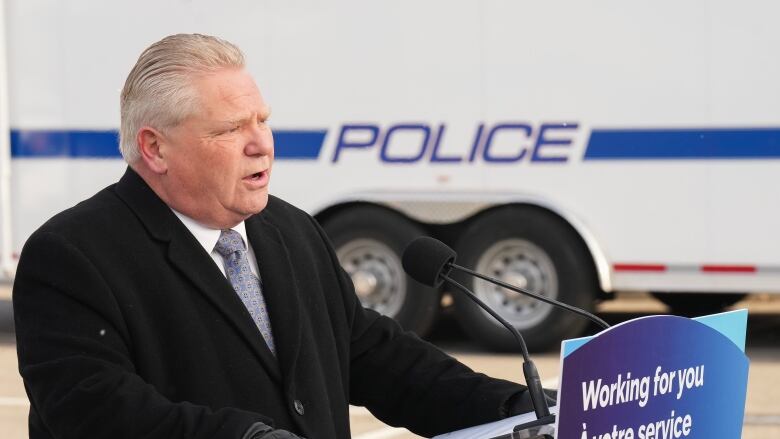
[{"x": 127, "y": 328}]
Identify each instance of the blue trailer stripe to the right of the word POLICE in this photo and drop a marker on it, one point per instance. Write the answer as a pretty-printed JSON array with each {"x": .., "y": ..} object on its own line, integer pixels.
[{"x": 749, "y": 143}]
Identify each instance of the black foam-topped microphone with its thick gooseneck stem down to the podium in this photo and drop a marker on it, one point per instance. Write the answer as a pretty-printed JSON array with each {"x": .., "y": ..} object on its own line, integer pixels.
[{"x": 429, "y": 262}]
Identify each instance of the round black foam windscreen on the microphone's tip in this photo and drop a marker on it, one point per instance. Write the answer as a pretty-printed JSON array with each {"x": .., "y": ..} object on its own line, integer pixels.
[{"x": 425, "y": 259}]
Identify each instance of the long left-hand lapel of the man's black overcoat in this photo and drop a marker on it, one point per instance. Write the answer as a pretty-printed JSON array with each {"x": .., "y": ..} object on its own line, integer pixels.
[{"x": 188, "y": 256}]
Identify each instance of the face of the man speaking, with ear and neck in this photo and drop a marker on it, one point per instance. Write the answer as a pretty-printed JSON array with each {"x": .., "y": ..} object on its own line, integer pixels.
[{"x": 219, "y": 159}]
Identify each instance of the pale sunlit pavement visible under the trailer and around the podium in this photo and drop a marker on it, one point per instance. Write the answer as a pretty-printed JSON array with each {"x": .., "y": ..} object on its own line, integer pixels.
[{"x": 762, "y": 411}]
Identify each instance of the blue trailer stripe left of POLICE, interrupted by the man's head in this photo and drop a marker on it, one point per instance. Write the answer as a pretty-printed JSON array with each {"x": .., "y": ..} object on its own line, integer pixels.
[{"x": 290, "y": 144}]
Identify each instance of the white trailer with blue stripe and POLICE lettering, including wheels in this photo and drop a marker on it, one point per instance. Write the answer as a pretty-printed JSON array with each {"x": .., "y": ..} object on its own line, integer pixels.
[{"x": 573, "y": 148}]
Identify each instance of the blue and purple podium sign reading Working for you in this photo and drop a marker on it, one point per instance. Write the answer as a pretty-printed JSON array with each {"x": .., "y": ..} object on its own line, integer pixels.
[{"x": 658, "y": 377}]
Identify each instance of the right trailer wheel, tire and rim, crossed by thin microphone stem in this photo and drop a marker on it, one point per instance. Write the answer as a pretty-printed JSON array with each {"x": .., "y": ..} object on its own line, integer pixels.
[{"x": 530, "y": 248}]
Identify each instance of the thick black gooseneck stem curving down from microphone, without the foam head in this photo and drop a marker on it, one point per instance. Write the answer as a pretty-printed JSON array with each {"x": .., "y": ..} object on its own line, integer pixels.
[{"x": 532, "y": 379}]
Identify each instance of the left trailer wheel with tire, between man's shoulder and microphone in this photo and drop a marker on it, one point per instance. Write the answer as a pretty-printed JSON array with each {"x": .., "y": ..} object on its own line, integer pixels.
[{"x": 369, "y": 242}]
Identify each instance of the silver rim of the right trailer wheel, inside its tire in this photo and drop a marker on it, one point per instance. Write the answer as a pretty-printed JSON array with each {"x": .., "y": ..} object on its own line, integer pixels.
[{"x": 523, "y": 264}]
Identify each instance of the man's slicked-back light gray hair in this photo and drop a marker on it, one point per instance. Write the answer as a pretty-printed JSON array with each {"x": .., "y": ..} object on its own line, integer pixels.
[{"x": 158, "y": 90}]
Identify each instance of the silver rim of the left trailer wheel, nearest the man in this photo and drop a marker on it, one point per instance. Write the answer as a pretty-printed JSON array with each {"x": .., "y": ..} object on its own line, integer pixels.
[{"x": 377, "y": 274}]
